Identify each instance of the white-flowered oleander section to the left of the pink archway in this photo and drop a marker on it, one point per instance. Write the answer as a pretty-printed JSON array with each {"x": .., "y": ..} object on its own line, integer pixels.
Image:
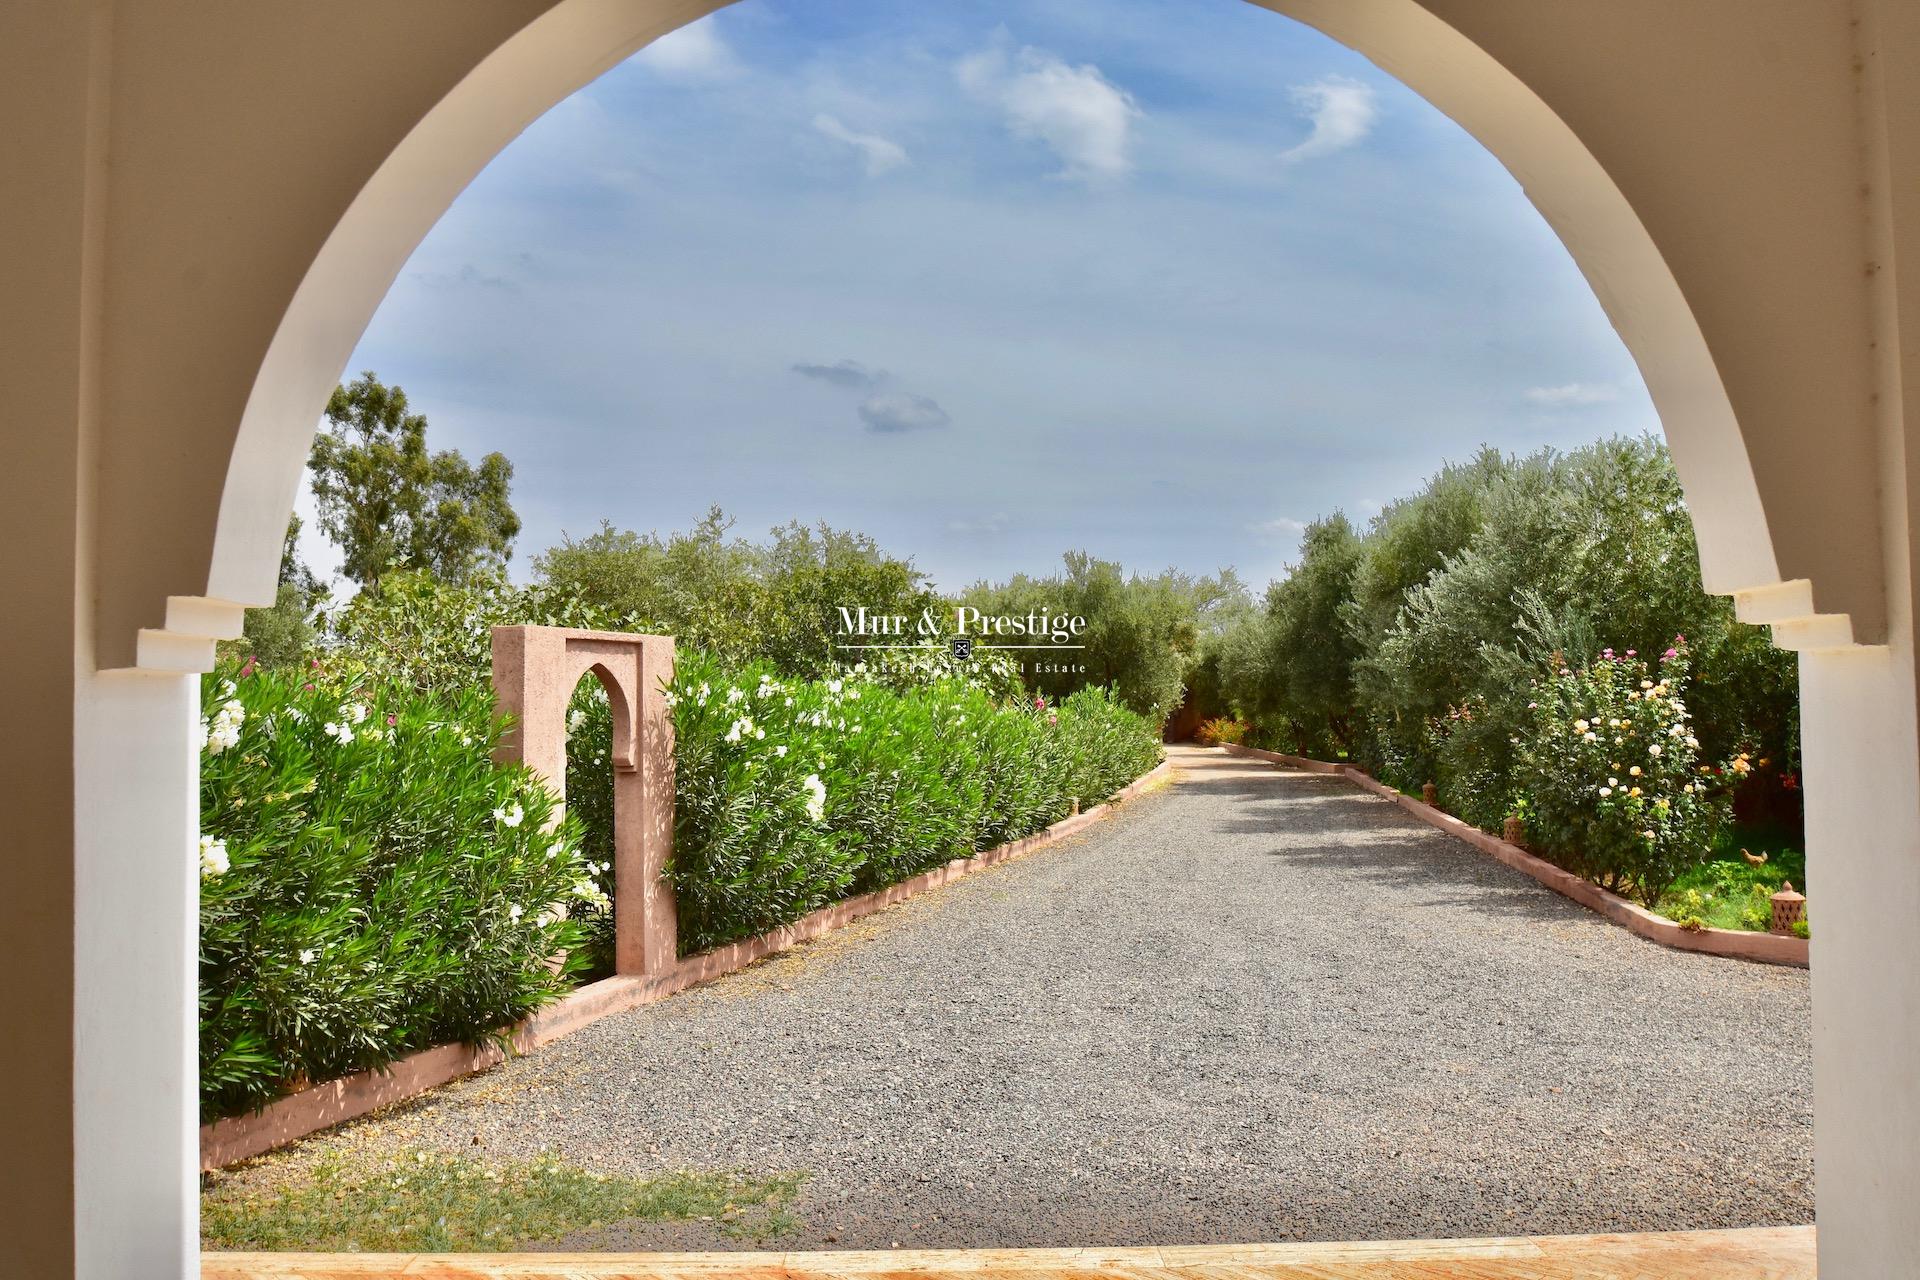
[{"x": 372, "y": 882}]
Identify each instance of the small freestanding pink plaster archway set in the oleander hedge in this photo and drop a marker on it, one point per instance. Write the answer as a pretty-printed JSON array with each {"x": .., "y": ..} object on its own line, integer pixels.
[{"x": 535, "y": 676}]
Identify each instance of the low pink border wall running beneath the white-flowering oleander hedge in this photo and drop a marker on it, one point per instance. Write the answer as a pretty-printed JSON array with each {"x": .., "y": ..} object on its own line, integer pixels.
[{"x": 352, "y": 1097}]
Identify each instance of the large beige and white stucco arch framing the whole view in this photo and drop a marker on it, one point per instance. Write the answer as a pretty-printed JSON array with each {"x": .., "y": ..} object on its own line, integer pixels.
[{"x": 210, "y": 199}]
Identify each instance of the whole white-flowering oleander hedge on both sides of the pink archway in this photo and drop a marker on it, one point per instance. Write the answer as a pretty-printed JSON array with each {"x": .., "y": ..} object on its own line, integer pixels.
[{"x": 373, "y": 884}]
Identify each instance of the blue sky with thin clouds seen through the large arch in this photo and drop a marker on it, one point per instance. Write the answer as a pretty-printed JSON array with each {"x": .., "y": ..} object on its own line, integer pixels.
[{"x": 1159, "y": 279}]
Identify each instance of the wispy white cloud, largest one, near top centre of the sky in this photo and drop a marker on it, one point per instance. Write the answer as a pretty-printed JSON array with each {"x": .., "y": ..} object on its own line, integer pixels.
[{"x": 1082, "y": 116}]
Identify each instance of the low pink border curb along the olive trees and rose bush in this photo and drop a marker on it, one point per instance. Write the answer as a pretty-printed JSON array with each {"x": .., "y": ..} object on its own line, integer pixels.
[{"x": 1769, "y": 949}]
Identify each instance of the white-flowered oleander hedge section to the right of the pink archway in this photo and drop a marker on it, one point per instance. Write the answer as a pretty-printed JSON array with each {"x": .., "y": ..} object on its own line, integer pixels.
[{"x": 792, "y": 795}]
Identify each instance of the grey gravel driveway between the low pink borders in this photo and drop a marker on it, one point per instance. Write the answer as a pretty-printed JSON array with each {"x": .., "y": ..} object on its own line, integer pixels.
[{"x": 1253, "y": 1007}]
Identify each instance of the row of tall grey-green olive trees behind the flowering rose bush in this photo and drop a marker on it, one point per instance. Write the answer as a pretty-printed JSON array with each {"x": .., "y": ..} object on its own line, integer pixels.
[{"x": 1441, "y": 604}]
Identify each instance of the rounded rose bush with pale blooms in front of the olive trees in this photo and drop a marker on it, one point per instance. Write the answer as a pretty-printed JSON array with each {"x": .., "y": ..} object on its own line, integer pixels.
[{"x": 1610, "y": 772}]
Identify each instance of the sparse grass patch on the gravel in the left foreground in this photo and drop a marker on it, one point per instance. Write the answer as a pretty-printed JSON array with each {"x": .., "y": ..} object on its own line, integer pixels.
[{"x": 420, "y": 1202}]
